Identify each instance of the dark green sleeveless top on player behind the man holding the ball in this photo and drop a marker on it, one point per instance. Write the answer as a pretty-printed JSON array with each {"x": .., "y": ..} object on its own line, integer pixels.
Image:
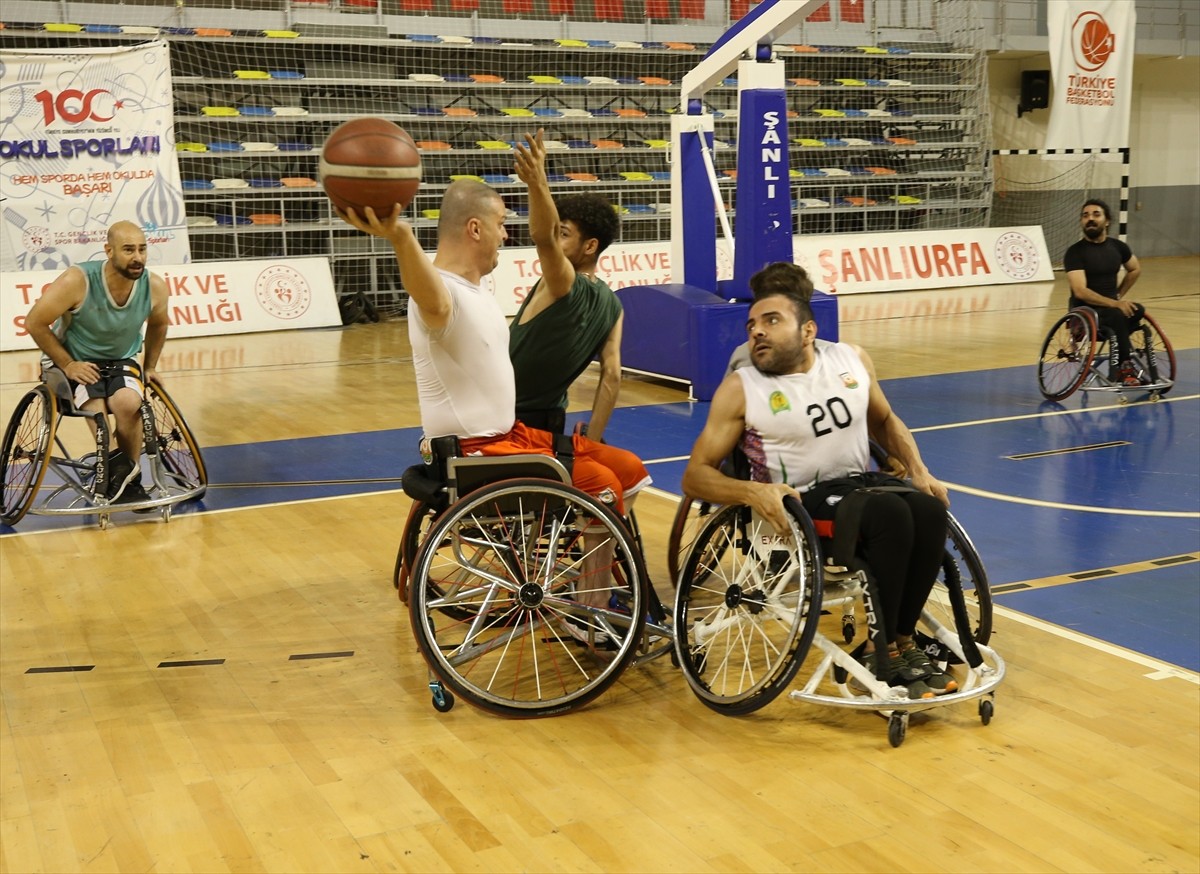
[{"x": 556, "y": 346}]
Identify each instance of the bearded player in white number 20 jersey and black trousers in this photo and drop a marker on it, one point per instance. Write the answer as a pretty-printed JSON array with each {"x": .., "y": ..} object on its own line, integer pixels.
[{"x": 803, "y": 415}]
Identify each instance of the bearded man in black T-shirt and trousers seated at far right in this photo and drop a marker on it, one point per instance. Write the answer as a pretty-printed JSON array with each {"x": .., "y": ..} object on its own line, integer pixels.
[{"x": 1093, "y": 266}]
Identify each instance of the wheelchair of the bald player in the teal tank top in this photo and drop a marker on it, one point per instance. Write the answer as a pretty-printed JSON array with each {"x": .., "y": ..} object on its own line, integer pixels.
[{"x": 80, "y": 486}]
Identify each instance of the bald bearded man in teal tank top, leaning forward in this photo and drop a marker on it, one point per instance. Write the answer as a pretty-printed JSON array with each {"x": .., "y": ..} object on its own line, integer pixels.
[{"x": 89, "y": 325}]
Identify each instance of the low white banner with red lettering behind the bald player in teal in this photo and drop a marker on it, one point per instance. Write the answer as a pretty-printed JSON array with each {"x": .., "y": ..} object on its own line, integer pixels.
[{"x": 235, "y": 297}]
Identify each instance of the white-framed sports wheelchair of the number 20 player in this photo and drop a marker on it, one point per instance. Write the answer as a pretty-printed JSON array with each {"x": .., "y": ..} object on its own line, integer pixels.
[{"x": 752, "y": 604}]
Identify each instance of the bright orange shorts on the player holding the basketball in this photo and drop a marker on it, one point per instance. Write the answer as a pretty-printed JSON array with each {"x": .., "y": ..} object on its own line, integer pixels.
[{"x": 605, "y": 472}]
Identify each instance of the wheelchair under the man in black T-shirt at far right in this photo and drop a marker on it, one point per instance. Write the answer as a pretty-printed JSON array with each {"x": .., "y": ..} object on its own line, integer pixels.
[{"x": 1076, "y": 357}]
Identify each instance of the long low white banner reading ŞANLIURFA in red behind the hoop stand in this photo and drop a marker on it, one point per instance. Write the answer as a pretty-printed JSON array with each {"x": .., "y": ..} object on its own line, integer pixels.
[{"x": 842, "y": 265}]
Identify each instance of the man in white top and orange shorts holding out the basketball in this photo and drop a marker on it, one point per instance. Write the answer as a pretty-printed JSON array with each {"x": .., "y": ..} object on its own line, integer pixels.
[{"x": 465, "y": 380}]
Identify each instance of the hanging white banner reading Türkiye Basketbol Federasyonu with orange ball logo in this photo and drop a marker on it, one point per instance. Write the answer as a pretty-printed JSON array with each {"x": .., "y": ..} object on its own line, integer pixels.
[{"x": 1091, "y": 70}]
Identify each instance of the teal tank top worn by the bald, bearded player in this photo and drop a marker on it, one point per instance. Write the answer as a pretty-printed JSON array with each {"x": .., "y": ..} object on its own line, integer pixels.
[{"x": 100, "y": 331}]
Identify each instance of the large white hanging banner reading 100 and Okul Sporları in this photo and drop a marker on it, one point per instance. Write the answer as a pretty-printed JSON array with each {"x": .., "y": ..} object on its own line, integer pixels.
[{"x": 87, "y": 141}]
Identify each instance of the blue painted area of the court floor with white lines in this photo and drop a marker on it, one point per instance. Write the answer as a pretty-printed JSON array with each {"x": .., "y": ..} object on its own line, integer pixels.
[{"x": 1129, "y": 493}]
